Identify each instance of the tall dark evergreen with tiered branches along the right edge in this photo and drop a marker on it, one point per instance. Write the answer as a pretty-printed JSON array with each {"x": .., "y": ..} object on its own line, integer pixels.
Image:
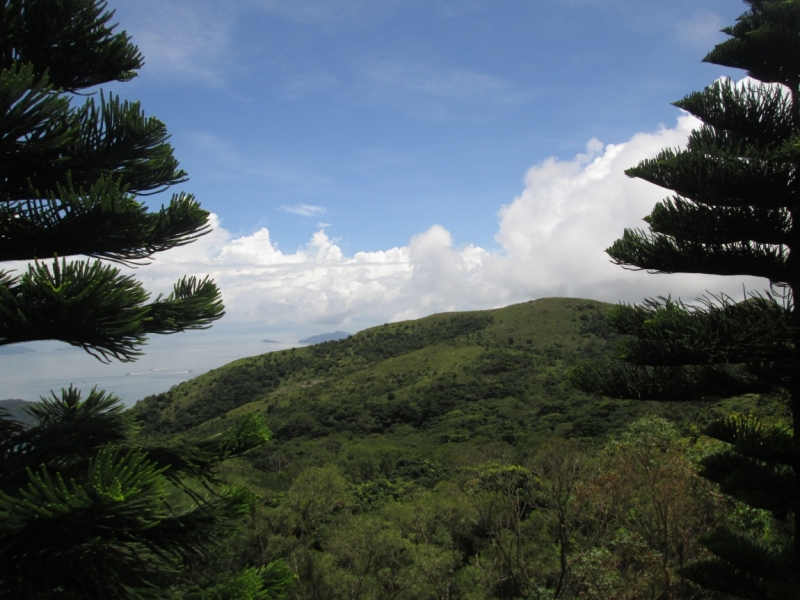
[{"x": 735, "y": 211}]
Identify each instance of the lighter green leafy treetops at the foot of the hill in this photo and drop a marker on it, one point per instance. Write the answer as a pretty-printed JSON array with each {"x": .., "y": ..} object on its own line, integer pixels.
[{"x": 611, "y": 521}]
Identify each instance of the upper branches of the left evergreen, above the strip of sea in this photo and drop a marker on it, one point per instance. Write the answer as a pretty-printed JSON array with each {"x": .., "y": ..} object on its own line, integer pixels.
[{"x": 70, "y": 181}]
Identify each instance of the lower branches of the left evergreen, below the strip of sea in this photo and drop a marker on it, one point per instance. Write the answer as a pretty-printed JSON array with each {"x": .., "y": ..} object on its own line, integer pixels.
[{"x": 87, "y": 511}]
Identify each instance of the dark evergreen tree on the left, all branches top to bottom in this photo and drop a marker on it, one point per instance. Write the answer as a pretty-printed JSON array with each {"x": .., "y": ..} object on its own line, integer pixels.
[{"x": 85, "y": 511}]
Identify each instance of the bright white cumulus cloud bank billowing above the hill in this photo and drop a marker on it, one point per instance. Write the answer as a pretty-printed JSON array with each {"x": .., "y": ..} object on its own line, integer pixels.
[{"x": 552, "y": 238}]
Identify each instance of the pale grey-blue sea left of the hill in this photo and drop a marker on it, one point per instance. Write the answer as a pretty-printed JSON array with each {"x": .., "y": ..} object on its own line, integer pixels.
[{"x": 168, "y": 361}]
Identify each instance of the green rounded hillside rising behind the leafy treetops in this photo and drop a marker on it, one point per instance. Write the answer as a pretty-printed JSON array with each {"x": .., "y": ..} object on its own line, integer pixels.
[{"x": 454, "y": 385}]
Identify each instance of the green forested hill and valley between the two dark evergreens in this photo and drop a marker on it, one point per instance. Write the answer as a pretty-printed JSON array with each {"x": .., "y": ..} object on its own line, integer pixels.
[{"x": 449, "y": 457}]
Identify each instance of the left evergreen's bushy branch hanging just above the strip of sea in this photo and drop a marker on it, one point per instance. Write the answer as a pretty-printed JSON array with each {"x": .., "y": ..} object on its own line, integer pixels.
[{"x": 96, "y": 308}]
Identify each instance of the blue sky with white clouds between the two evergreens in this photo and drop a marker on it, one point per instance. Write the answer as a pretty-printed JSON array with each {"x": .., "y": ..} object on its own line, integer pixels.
[{"x": 368, "y": 161}]
